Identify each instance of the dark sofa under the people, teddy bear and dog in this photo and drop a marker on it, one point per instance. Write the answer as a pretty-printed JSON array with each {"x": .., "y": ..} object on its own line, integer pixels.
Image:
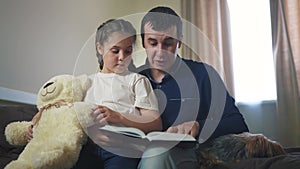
[{"x": 88, "y": 159}]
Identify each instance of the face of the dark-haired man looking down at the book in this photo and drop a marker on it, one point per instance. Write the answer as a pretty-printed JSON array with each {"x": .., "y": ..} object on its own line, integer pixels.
[{"x": 161, "y": 46}]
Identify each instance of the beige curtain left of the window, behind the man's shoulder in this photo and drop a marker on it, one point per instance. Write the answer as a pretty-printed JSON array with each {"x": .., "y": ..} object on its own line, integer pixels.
[{"x": 206, "y": 35}]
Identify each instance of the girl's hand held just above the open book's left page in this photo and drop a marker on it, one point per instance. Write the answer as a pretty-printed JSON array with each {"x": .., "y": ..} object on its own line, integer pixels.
[{"x": 103, "y": 115}]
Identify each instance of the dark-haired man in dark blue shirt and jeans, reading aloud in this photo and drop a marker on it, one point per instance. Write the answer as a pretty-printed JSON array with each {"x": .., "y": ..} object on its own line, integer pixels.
[{"x": 192, "y": 97}]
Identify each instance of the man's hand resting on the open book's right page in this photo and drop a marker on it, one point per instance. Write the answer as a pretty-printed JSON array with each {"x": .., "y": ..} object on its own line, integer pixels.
[{"x": 191, "y": 127}]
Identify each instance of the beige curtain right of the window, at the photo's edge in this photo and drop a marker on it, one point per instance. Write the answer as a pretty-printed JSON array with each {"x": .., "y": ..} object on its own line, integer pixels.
[{"x": 285, "y": 16}]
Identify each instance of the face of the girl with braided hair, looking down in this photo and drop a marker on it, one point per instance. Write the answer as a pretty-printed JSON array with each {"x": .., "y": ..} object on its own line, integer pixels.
[{"x": 116, "y": 52}]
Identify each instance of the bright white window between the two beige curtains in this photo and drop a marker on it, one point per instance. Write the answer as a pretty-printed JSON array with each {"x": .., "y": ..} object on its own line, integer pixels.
[{"x": 253, "y": 63}]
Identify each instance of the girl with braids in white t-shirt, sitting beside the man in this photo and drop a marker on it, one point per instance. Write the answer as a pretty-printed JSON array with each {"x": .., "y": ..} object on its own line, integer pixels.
[{"x": 124, "y": 98}]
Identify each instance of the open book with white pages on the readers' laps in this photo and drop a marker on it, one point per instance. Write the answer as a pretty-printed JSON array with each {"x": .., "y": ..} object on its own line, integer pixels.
[{"x": 152, "y": 136}]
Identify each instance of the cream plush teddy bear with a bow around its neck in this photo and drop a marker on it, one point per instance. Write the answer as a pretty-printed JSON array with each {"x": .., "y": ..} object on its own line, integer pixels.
[{"x": 57, "y": 133}]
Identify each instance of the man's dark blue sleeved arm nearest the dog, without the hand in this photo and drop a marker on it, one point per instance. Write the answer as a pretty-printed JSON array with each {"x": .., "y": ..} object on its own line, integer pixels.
[{"x": 223, "y": 116}]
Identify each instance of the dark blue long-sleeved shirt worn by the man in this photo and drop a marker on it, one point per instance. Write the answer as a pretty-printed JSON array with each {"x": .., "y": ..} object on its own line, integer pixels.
[{"x": 194, "y": 91}]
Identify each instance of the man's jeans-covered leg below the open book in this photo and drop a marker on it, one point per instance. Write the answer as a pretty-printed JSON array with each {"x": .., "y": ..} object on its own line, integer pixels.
[{"x": 165, "y": 158}]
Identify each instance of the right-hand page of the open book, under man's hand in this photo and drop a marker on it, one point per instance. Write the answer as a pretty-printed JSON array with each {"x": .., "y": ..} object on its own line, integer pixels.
[{"x": 164, "y": 136}]
